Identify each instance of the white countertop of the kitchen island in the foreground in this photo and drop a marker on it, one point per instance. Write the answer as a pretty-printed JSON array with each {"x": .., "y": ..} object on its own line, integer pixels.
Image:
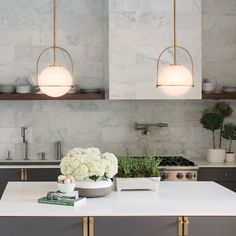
[{"x": 173, "y": 199}]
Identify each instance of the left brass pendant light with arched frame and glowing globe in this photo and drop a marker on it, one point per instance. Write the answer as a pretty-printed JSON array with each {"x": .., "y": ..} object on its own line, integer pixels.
[{"x": 54, "y": 80}]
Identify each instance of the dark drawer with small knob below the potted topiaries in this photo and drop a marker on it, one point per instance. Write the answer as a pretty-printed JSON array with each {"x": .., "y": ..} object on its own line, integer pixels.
[{"x": 217, "y": 174}]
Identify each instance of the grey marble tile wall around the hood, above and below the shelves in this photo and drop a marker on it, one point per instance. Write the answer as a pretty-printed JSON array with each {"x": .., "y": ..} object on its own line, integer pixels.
[{"x": 25, "y": 31}]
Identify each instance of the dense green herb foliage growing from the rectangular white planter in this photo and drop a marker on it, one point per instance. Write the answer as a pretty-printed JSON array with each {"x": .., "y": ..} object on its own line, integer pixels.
[{"x": 138, "y": 166}]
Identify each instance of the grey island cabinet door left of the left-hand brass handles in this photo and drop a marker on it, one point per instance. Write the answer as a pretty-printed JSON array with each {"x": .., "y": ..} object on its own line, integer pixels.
[{"x": 41, "y": 226}]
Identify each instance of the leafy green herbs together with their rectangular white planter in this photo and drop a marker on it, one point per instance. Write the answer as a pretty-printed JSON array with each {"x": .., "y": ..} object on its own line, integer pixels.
[{"x": 137, "y": 173}]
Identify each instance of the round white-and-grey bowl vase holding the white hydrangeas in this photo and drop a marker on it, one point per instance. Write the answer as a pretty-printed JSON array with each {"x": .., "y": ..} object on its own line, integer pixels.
[{"x": 90, "y": 188}]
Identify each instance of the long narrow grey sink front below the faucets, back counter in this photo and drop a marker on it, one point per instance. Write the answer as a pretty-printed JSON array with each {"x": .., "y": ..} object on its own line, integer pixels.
[{"x": 30, "y": 162}]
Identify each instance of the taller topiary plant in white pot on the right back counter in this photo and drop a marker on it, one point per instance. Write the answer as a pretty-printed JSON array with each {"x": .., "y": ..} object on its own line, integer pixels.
[{"x": 213, "y": 120}]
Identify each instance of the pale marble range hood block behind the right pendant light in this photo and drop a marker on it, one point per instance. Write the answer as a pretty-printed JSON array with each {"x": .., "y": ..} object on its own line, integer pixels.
[{"x": 138, "y": 32}]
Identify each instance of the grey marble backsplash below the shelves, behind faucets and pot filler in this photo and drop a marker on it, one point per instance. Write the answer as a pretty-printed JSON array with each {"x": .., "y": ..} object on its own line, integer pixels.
[{"x": 107, "y": 125}]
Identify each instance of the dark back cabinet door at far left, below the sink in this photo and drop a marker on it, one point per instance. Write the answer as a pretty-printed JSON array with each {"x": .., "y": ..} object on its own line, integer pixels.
[{"x": 7, "y": 175}]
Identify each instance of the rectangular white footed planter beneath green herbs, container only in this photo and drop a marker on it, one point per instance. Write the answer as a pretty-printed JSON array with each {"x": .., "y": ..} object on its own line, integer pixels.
[{"x": 151, "y": 183}]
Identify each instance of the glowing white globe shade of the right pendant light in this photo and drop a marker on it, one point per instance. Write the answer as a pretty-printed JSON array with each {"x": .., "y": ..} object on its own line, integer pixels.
[{"x": 177, "y": 75}]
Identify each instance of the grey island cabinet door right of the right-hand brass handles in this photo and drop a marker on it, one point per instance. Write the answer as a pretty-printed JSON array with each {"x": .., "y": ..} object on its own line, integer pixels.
[{"x": 212, "y": 226}]
